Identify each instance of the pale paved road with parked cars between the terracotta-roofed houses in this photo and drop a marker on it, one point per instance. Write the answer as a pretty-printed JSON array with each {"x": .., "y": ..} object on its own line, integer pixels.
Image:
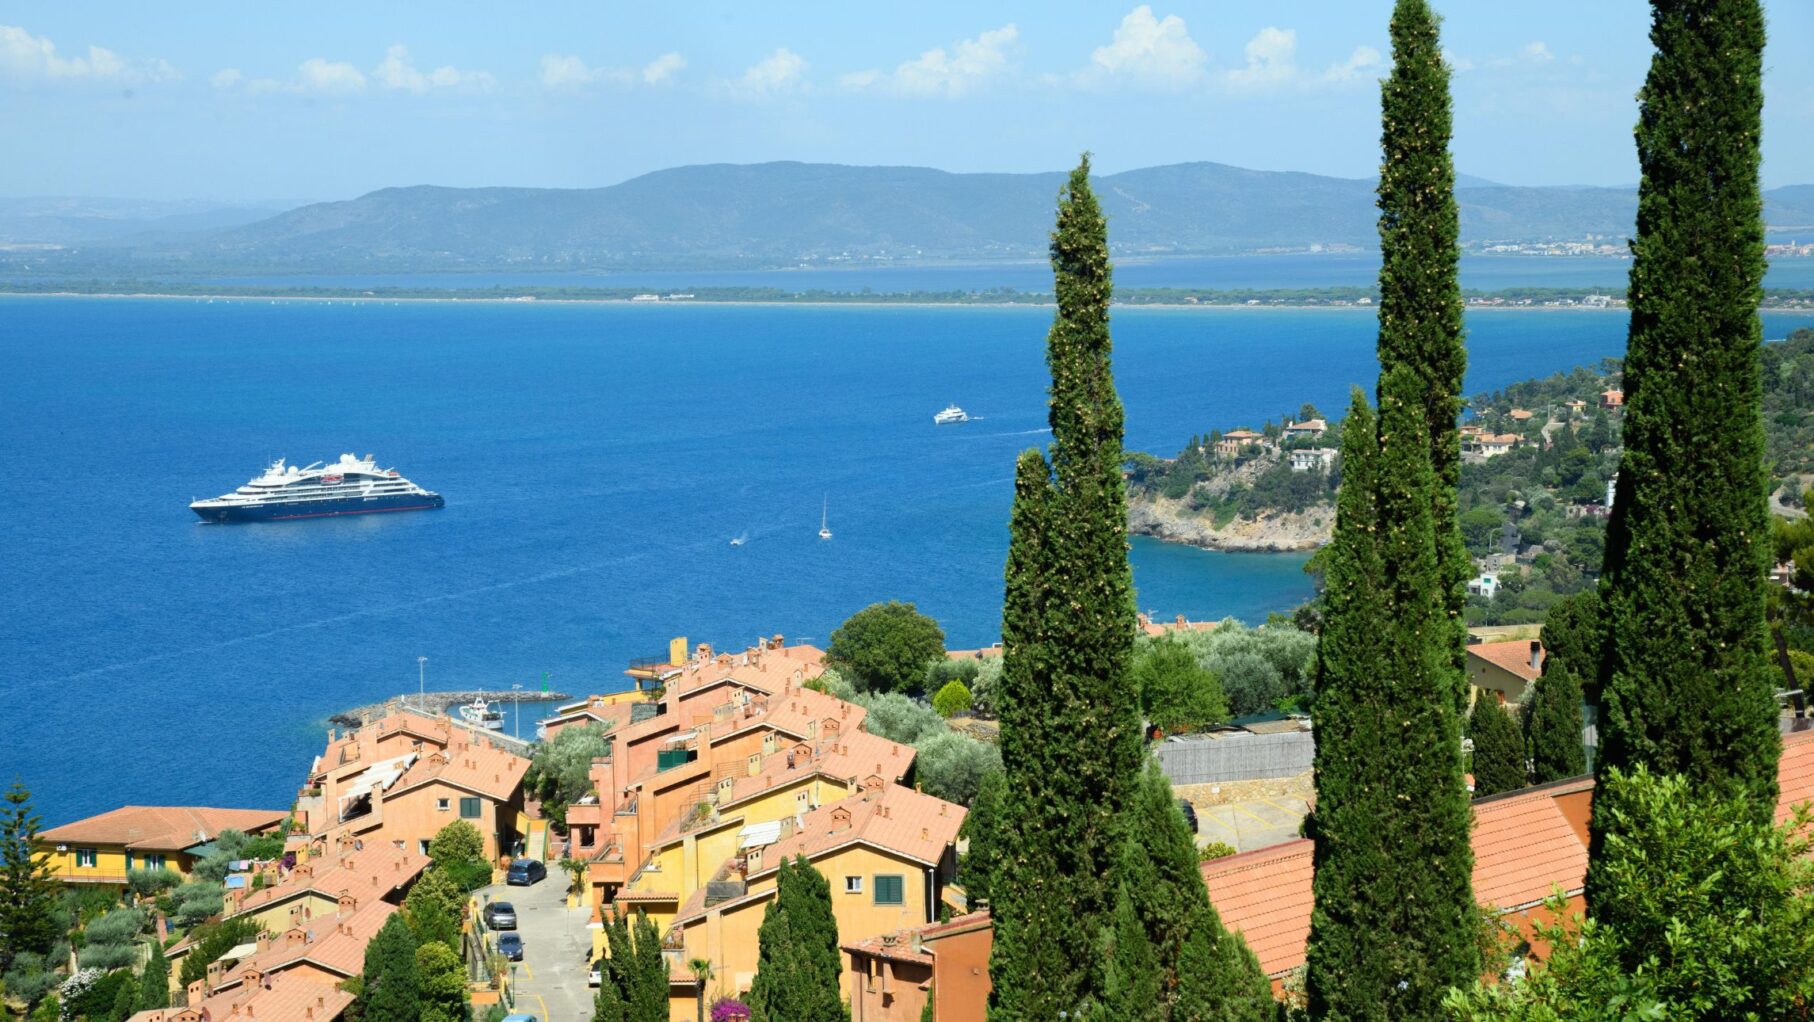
[{"x": 552, "y": 974}]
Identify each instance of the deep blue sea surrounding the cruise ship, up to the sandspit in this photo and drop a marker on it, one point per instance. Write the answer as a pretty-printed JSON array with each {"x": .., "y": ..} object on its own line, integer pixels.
[{"x": 596, "y": 460}]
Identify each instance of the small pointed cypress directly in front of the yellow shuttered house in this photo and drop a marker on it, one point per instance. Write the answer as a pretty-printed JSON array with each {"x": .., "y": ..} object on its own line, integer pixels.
[{"x": 797, "y": 952}]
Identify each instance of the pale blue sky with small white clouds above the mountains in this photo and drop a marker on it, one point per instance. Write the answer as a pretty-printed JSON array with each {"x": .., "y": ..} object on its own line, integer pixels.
[{"x": 291, "y": 103}]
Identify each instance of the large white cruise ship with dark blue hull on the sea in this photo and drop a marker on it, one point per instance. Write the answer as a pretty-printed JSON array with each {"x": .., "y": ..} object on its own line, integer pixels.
[{"x": 351, "y": 486}]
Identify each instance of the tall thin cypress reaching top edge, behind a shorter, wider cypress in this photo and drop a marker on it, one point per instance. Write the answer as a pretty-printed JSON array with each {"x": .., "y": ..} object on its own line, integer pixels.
[{"x": 1419, "y": 280}]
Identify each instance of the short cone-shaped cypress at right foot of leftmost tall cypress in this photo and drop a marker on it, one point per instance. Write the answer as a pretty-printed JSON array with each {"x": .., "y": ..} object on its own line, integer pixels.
[{"x": 1167, "y": 954}]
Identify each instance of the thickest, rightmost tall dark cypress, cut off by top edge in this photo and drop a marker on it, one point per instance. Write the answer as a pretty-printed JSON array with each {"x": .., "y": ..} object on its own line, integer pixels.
[{"x": 1684, "y": 674}]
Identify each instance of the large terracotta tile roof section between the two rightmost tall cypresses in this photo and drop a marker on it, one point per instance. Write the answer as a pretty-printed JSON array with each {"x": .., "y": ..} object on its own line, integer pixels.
[{"x": 1525, "y": 847}]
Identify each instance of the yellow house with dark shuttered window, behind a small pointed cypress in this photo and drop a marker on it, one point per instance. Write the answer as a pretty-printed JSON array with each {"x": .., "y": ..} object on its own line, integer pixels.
[{"x": 888, "y": 854}]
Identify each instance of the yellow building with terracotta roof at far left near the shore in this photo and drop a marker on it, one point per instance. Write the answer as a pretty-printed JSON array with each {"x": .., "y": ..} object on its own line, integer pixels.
[{"x": 101, "y": 850}]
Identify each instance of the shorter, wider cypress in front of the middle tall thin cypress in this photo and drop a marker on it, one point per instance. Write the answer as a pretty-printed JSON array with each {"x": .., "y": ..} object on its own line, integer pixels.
[{"x": 1394, "y": 919}]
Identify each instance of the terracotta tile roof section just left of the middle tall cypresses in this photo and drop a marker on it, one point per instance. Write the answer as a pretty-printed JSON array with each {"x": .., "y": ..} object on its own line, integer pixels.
[{"x": 1267, "y": 898}]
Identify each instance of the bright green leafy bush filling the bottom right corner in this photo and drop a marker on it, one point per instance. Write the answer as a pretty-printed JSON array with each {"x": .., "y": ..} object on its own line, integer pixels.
[{"x": 1704, "y": 918}]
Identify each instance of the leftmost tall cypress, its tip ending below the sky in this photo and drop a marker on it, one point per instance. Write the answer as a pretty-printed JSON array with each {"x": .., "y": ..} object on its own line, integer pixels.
[{"x": 1069, "y": 720}]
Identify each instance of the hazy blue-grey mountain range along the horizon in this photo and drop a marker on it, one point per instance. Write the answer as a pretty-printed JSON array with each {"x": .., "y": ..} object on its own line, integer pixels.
[{"x": 772, "y": 215}]
